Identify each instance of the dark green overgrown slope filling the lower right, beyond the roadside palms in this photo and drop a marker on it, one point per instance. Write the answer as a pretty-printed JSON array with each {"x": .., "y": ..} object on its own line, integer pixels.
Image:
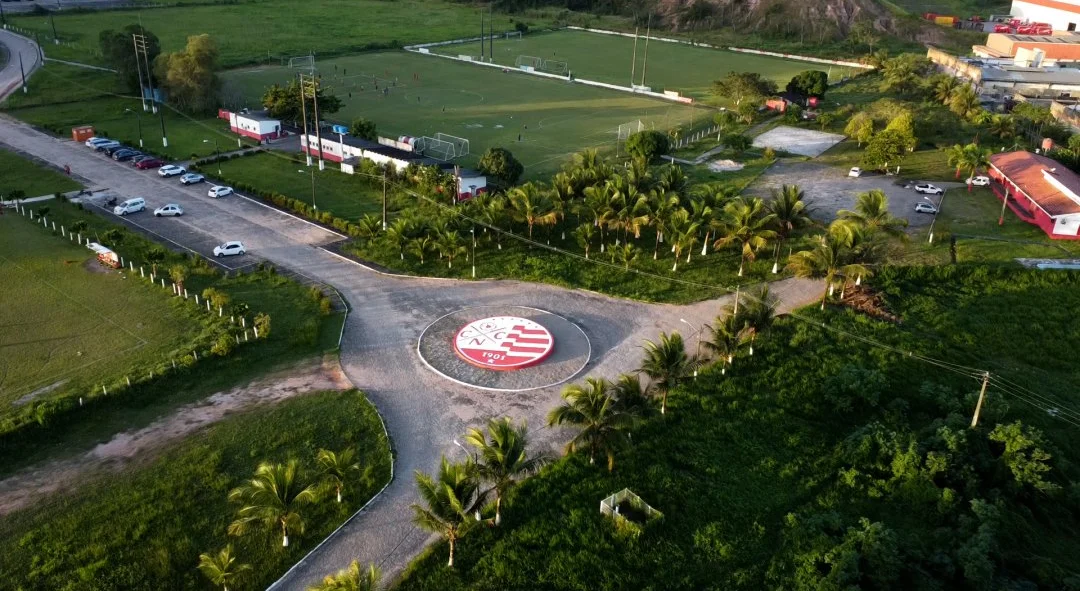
[{"x": 764, "y": 474}]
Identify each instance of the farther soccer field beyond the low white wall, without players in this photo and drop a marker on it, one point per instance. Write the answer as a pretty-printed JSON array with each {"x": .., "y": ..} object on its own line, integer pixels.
[{"x": 609, "y": 59}]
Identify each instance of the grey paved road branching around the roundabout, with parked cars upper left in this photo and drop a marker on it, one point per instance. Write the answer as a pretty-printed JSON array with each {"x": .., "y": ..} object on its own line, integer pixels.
[{"x": 424, "y": 413}]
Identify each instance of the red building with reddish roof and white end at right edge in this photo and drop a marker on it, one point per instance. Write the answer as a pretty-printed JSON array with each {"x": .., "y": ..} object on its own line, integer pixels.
[{"x": 1039, "y": 191}]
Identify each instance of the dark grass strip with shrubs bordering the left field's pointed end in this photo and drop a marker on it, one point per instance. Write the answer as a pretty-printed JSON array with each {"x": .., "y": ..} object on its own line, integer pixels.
[{"x": 300, "y": 330}]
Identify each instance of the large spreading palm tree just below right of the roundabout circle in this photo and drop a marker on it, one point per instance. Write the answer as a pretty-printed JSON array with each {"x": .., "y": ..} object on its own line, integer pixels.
[{"x": 602, "y": 422}]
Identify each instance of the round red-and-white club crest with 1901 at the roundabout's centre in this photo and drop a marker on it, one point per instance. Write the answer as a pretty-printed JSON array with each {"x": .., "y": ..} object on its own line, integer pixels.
[{"x": 504, "y": 343}]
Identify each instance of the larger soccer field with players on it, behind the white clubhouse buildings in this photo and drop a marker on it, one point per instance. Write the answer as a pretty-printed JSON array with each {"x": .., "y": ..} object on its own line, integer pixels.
[{"x": 542, "y": 122}]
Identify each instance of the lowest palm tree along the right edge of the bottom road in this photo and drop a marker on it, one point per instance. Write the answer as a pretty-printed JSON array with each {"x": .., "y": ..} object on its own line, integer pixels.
[{"x": 451, "y": 499}]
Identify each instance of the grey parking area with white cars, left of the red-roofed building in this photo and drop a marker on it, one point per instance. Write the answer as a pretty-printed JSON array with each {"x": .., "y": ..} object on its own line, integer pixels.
[{"x": 831, "y": 190}]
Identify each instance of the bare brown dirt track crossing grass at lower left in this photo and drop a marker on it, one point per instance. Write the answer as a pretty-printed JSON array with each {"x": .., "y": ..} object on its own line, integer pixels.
[{"x": 32, "y": 485}]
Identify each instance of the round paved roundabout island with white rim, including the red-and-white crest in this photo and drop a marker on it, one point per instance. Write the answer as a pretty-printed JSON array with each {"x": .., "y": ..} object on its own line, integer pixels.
[{"x": 505, "y": 348}]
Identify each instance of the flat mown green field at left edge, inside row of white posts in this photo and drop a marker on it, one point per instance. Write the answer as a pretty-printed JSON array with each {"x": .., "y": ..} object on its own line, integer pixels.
[{"x": 69, "y": 324}]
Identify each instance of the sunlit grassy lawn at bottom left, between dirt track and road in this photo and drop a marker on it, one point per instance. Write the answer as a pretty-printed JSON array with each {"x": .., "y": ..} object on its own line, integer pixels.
[{"x": 145, "y": 528}]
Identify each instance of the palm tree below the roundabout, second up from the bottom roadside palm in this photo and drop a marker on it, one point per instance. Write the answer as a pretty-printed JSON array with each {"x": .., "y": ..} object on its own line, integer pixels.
[{"x": 503, "y": 458}]
